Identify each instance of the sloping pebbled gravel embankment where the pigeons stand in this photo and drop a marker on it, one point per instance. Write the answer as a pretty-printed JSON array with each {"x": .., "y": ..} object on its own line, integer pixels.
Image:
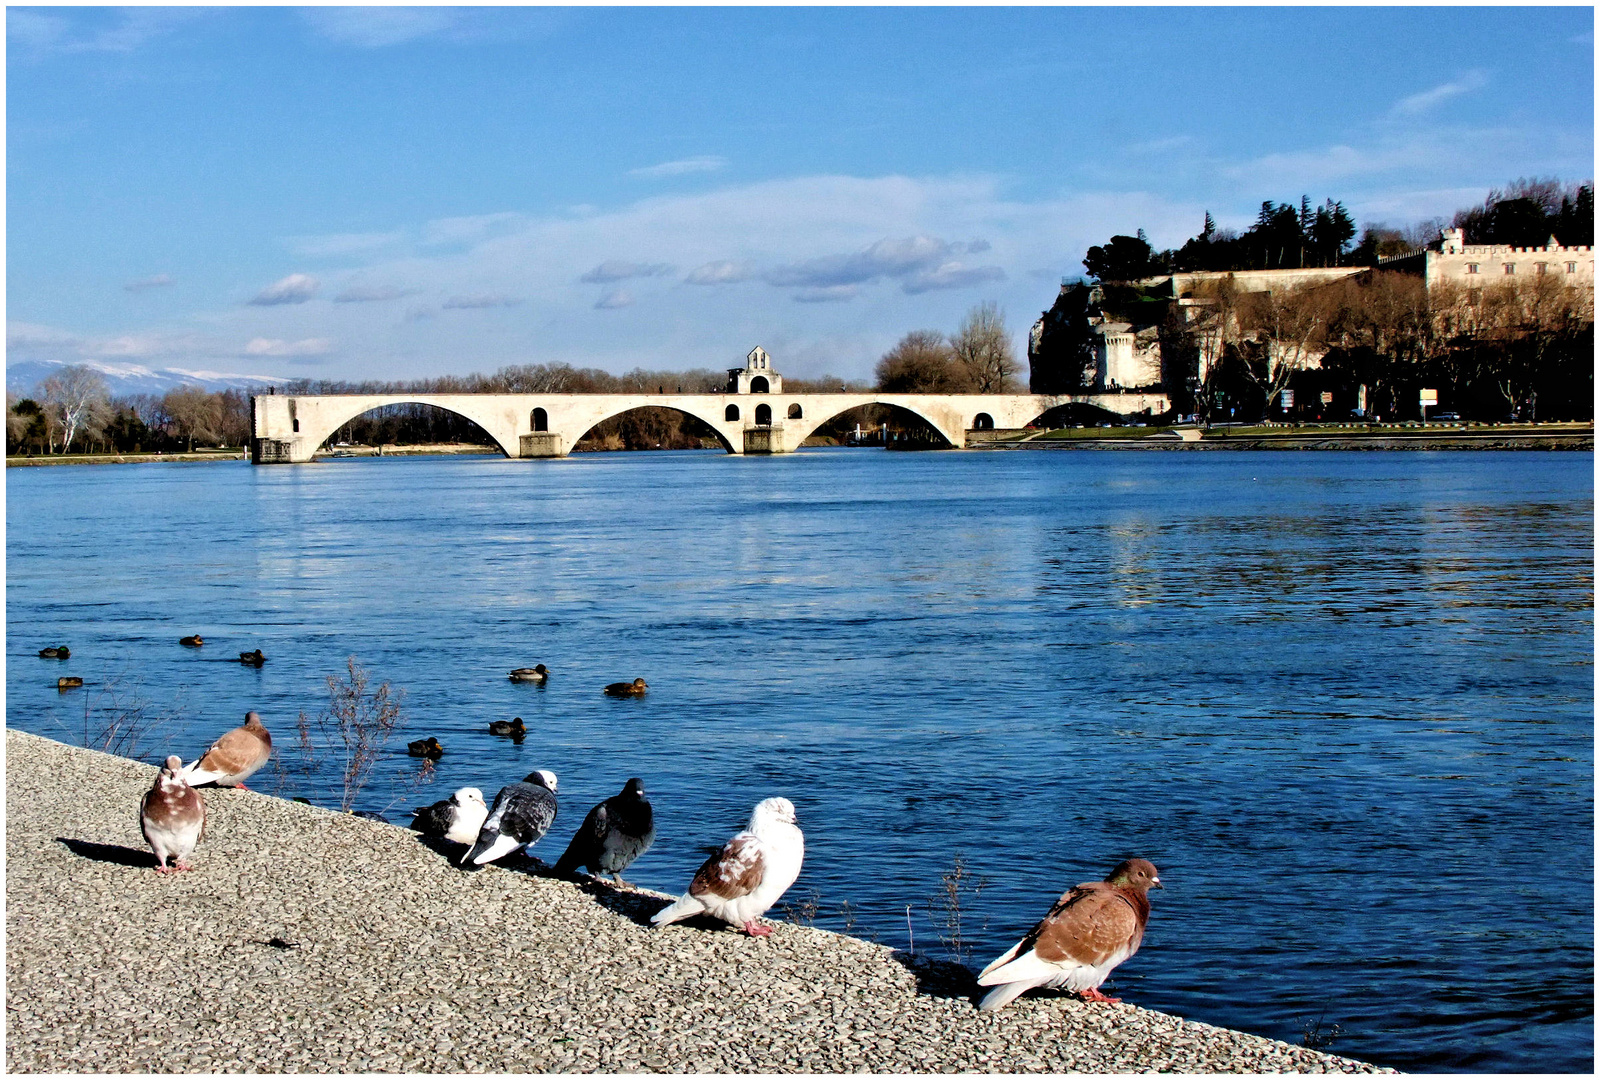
[{"x": 406, "y": 964}]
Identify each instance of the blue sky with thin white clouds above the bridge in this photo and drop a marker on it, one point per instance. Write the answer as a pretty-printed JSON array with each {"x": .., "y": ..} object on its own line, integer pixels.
[{"x": 410, "y": 193}]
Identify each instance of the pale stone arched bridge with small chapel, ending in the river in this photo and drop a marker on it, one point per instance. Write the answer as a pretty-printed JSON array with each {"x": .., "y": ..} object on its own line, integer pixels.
[{"x": 292, "y": 428}]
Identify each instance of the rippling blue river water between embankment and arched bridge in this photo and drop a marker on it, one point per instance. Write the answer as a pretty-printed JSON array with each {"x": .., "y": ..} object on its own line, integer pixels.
[{"x": 1343, "y": 700}]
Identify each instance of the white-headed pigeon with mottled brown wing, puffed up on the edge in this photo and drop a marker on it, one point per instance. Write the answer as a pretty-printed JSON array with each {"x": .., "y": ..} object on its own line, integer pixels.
[{"x": 750, "y": 874}]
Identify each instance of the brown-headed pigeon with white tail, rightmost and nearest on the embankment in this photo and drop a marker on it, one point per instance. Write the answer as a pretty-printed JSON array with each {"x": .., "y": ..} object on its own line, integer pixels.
[{"x": 1090, "y": 930}]
